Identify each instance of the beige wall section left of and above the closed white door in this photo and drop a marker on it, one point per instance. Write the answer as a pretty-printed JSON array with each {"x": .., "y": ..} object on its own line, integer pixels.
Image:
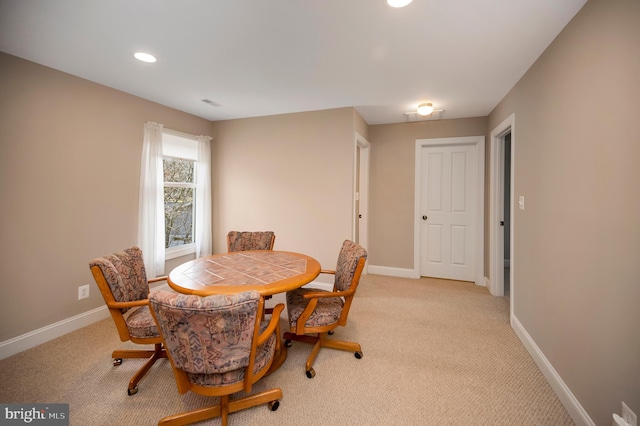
[{"x": 393, "y": 183}]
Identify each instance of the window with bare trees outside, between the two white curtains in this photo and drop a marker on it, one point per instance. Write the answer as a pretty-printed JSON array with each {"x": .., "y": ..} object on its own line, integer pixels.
[{"x": 179, "y": 167}]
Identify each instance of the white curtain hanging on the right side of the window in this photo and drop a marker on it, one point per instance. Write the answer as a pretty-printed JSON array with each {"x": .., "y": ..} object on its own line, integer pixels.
[{"x": 203, "y": 198}]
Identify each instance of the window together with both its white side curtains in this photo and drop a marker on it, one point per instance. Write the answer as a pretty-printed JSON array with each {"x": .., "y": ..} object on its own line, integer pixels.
[{"x": 174, "y": 210}]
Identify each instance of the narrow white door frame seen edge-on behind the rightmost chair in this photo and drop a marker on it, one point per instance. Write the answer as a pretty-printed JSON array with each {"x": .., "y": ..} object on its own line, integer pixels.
[{"x": 361, "y": 160}]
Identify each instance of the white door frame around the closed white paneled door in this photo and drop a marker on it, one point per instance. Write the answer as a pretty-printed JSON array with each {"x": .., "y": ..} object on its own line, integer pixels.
[{"x": 478, "y": 142}]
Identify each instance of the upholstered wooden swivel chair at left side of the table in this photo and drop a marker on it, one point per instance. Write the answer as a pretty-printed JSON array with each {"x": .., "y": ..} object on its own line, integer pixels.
[{"x": 122, "y": 280}]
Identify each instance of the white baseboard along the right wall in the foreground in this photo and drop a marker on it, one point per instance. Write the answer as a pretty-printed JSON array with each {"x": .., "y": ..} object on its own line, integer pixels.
[{"x": 566, "y": 397}]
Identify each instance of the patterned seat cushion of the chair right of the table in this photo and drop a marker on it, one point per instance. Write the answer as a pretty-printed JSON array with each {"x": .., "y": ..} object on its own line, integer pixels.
[{"x": 327, "y": 310}]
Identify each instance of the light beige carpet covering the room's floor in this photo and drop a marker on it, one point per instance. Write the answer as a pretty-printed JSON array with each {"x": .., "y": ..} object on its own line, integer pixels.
[{"x": 435, "y": 353}]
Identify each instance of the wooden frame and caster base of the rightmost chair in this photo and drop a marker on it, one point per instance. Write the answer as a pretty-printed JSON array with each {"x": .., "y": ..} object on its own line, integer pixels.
[{"x": 320, "y": 339}]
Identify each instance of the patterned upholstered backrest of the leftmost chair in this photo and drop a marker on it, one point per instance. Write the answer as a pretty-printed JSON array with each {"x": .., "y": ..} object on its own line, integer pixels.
[{"x": 124, "y": 273}]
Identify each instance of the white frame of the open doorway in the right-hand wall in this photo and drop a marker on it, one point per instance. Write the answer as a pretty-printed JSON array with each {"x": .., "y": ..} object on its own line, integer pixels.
[{"x": 496, "y": 207}]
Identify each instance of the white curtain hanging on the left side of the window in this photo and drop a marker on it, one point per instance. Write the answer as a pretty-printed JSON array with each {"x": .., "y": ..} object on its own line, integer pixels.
[{"x": 151, "y": 205}]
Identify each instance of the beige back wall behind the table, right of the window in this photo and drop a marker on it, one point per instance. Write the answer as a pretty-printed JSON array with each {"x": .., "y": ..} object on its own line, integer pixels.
[{"x": 291, "y": 174}]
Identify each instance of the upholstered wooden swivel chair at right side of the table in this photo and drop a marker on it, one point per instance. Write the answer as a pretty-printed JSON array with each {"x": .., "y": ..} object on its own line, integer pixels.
[{"x": 315, "y": 313}]
